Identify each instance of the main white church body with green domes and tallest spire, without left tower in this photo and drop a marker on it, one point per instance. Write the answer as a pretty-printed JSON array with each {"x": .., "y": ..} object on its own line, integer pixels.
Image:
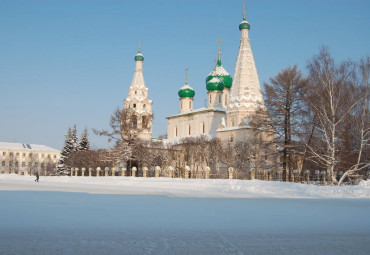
[{"x": 231, "y": 102}]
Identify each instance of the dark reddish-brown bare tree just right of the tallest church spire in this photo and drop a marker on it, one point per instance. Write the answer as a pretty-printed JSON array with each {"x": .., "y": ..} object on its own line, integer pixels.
[{"x": 283, "y": 116}]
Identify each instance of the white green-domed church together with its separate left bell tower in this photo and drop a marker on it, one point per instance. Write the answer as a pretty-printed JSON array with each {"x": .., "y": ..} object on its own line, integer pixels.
[{"x": 231, "y": 101}]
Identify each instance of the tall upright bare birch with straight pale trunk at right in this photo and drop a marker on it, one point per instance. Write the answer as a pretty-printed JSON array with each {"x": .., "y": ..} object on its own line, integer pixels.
[{"x": 332, "y": 105}]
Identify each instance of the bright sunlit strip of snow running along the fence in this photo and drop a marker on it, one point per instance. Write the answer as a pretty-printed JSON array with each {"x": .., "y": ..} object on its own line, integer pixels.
[{"x": 182, "y": 187}]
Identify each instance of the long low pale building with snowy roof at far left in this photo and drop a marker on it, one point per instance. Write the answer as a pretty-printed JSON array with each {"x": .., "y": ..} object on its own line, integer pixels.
[{"x": 27, "y": 159}]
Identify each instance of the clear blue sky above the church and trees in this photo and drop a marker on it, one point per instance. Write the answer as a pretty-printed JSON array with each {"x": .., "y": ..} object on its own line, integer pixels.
[{"x": 71, "y": 62}]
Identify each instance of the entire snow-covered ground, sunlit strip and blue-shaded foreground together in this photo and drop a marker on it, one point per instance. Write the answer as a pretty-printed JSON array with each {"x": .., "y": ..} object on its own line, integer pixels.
[{"x": 117, "y": 215}]
